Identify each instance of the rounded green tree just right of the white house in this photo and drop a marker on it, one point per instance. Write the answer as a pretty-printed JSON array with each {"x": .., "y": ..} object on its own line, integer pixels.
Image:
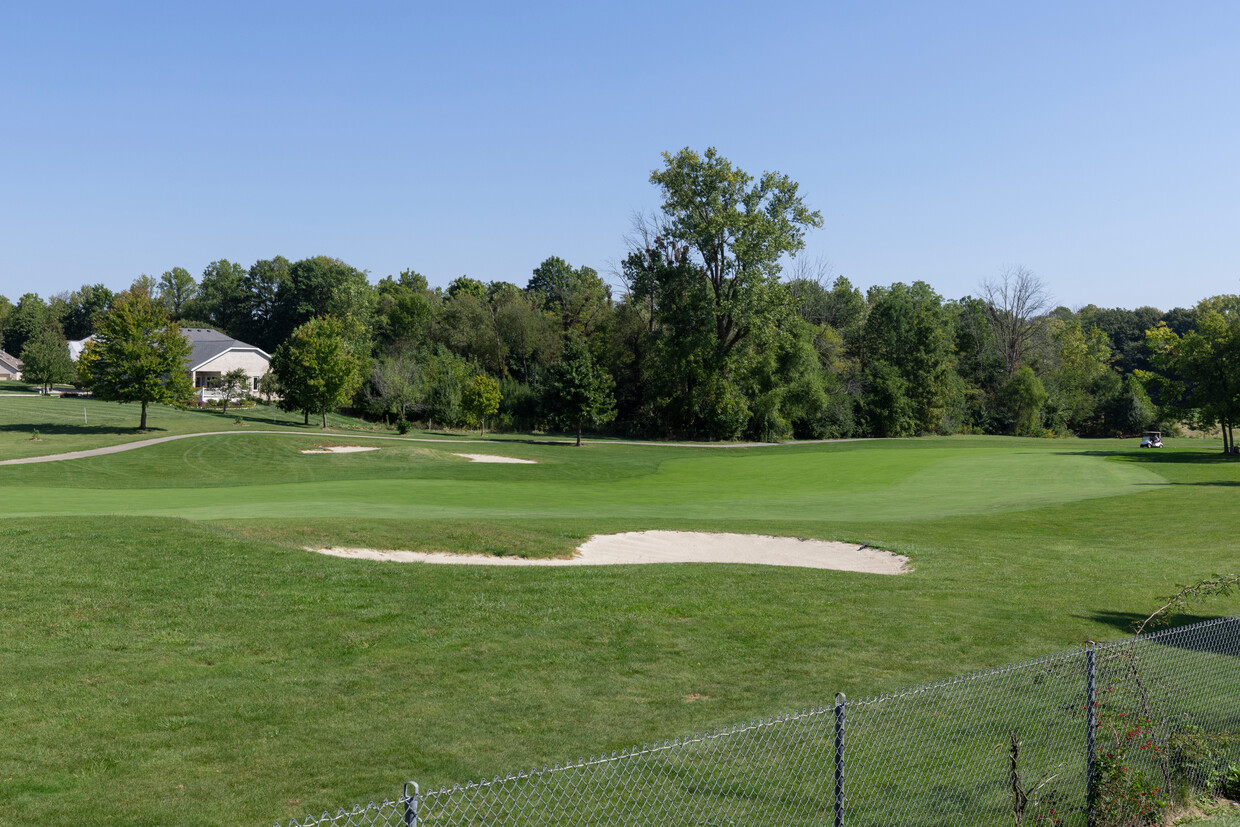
[{"x": 318, "y": 368}]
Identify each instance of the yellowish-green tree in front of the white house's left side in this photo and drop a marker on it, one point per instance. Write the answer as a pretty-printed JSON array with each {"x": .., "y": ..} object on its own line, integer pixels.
[{"x": 138, "y": 355}]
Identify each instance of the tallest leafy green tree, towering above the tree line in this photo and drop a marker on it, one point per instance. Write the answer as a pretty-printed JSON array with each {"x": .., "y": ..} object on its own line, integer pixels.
[{"x": 706, "y": 276}]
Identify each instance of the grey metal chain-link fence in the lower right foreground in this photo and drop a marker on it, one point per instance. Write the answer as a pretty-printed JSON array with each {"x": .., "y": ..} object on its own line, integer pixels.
[{"x": 1100, "y": 736}]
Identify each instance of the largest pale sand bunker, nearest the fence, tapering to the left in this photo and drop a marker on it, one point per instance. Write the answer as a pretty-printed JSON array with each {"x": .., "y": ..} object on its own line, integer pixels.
[{"x": 676, "y": 547}]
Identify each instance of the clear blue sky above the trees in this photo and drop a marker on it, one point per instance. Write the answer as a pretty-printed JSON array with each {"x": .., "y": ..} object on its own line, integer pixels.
[{"x": 1094, "y": 143}]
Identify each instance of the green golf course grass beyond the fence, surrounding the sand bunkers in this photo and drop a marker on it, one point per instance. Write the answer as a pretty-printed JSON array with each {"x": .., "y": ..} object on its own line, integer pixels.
[{"x": 169, "y": 654}]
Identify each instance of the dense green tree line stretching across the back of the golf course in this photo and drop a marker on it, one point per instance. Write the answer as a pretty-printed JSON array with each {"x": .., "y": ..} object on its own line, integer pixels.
[{"x": 710, "y": 338}]
